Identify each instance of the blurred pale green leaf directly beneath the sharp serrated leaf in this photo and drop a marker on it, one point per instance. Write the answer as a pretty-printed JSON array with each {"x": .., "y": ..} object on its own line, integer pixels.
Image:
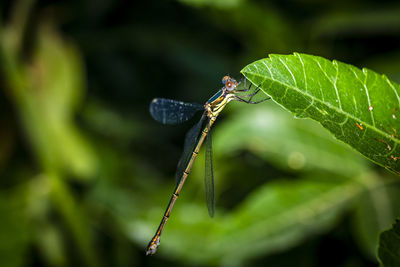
[{"x": 276, "y": 136}]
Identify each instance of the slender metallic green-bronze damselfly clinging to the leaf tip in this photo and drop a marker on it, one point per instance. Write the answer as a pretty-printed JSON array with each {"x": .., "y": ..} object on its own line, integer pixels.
[{"x": 169, "y": 111}]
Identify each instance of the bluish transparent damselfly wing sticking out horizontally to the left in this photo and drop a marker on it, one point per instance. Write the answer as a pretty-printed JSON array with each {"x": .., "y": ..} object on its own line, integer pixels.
[{"x": 168, "y": 111}]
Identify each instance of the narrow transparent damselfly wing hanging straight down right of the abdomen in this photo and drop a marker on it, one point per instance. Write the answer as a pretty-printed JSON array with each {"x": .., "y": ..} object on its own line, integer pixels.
[{"x": 209, "y": 177}]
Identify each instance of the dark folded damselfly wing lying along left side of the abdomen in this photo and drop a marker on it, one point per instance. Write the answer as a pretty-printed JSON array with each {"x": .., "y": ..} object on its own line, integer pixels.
[{"x": 191, "y": 139}]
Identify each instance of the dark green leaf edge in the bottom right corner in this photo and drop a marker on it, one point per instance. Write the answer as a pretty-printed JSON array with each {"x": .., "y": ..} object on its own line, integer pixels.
[{"x": 389, "y": 246}]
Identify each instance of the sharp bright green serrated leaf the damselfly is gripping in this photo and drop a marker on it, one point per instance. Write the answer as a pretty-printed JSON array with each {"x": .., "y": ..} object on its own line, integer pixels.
[{"x": 359, "y": 107}]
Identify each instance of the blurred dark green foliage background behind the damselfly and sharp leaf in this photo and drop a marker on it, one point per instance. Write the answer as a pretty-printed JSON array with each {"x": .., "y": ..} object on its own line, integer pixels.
[{"x": 85, "y": 173}]
